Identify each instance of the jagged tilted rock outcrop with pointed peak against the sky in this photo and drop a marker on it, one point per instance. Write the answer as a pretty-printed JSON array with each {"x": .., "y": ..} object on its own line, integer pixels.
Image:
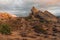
[{"x": 45, "y": 15}]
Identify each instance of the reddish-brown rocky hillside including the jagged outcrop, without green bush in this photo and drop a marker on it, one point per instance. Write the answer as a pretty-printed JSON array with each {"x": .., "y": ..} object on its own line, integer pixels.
[{"x": 37, "y": 26}]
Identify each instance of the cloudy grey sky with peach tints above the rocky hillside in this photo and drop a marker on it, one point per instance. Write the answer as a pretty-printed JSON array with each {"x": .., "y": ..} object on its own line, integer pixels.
[{"x": 23, "y": 7}]
